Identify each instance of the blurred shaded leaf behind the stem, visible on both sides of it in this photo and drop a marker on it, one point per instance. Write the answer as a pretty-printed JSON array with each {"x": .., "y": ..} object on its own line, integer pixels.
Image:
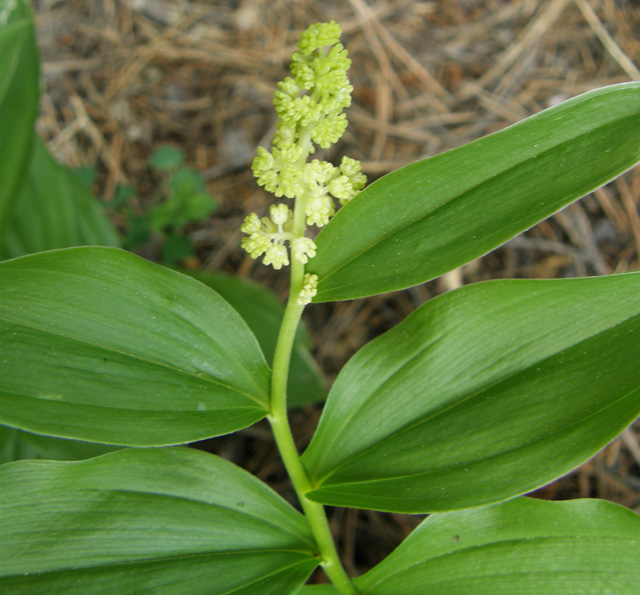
[{"x": 263, "y": 312}]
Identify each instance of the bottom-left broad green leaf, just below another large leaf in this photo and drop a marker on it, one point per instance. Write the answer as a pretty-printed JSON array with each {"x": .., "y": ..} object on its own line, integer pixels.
[{"x": 165, "y": 520}]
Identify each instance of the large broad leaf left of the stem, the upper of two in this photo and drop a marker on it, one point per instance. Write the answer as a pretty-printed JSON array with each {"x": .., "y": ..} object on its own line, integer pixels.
[{"x": 100, "y": 345}]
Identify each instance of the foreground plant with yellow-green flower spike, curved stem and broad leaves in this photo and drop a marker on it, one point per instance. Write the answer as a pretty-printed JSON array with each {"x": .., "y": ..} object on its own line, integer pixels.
[{"x": 478, "y": 397}]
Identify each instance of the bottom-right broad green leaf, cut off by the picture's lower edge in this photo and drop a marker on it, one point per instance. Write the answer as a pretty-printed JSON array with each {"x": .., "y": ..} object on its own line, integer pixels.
[{"x": 523, "y": 547}]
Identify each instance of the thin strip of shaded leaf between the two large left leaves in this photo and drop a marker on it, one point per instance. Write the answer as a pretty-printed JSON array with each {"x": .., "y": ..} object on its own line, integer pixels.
[{"x": 16, "y": 445}]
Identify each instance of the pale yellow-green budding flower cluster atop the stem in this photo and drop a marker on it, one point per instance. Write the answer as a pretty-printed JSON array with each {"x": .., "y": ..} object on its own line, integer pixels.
[{"x": 310, "y": 107}]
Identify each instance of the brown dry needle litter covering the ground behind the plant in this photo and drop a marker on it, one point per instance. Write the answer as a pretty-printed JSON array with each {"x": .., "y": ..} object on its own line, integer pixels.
[{"x": 123, "y": 76}]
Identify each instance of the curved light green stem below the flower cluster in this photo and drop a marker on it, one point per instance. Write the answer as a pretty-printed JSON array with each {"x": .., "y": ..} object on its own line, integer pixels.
[{"x": 314, "y": 512}]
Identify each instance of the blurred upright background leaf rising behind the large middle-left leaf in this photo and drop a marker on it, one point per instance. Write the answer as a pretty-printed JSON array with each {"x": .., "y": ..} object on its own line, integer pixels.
[{"x": 55, "y": 210}]
